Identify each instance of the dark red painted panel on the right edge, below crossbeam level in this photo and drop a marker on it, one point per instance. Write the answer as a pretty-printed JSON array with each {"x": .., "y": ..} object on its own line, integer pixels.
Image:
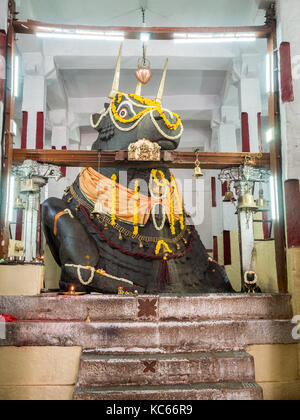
[{"x": 292, "y": 203}]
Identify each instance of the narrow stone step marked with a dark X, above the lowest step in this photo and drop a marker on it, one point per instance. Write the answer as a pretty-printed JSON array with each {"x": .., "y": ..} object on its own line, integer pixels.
[{"x": 167, "y": 369}]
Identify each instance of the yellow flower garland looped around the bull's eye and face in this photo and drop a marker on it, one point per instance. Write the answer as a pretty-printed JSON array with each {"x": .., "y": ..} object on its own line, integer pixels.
[{"x": 152, "y": 105}]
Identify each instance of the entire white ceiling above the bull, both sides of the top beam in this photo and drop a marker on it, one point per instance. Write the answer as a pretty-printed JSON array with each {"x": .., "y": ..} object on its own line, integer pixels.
[{"x": 84, "y": 70}]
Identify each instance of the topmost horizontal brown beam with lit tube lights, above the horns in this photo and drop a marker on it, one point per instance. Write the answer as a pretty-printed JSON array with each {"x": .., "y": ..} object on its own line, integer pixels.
[{"x": 157, "y": 33}]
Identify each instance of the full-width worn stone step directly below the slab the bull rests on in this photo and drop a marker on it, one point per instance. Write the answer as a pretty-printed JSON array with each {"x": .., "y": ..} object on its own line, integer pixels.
[{"x": 150, "y": 337}]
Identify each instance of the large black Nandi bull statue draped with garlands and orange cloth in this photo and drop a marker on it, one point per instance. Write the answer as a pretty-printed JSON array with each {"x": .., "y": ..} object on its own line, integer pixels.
[{"x": 109, "y": 232}]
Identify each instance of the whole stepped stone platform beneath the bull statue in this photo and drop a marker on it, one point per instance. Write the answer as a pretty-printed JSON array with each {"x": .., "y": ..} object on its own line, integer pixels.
[{"x": 155, "y": 347}]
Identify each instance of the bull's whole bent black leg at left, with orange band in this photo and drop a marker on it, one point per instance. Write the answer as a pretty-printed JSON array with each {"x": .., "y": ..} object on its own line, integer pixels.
[{"x": 72, "y": 248}]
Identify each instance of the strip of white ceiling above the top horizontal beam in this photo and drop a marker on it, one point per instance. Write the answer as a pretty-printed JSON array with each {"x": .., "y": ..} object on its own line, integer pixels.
[{"x": 159, "y": 13}]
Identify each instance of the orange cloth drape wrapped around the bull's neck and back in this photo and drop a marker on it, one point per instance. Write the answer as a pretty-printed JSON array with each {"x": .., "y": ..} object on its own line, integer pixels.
[{"x": 93, "y": 185}]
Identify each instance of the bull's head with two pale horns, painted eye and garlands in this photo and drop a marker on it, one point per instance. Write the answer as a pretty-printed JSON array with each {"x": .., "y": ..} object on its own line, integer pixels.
[{"x": 130, "y": 117}]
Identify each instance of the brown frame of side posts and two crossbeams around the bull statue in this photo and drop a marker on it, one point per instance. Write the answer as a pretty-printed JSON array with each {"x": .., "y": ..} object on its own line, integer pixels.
[{"x": 267, "y": 31}]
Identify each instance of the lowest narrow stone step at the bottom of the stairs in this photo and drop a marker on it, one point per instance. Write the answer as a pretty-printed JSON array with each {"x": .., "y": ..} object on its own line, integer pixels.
[{"x": 223, "y": 391}]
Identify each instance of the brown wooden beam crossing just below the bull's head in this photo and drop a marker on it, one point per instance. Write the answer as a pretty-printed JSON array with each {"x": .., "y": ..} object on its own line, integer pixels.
[{"x": 119, "y": 159}]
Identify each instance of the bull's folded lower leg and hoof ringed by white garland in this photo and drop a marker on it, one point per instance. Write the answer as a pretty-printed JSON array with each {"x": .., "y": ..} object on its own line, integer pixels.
[{"x": 89, "y": 280}]
